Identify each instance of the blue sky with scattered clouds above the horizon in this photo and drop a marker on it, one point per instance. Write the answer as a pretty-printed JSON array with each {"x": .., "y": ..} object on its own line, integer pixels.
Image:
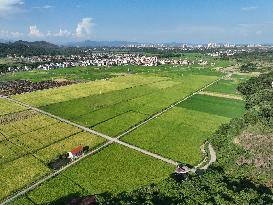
[{"x": 155, "y": 21}]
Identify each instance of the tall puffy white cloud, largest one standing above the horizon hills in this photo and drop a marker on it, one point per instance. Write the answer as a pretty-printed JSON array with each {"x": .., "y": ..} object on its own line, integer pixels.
[{"x": 84, "y": 28}]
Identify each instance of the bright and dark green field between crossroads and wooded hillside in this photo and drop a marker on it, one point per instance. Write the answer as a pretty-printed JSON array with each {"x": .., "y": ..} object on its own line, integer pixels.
[{"x": 179, "y": 133}]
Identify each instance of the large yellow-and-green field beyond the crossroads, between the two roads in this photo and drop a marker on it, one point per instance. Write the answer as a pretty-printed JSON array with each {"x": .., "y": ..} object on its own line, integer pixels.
[{"x": 124, "y": 102}]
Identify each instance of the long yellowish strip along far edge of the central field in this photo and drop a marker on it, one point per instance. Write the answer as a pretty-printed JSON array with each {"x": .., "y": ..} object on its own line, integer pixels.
[{"x": 50, "y": 96}]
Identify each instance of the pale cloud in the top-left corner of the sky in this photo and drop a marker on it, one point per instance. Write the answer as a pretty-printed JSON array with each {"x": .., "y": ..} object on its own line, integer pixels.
[{"x": 10, "y": 6}]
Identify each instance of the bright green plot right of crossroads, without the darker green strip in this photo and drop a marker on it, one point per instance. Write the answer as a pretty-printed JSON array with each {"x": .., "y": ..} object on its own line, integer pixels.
[{"x": 177, "y": 134}]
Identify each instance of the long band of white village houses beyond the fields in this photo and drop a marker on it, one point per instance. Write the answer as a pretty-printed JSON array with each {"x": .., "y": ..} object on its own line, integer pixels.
[{"x": 100, "y": 59}]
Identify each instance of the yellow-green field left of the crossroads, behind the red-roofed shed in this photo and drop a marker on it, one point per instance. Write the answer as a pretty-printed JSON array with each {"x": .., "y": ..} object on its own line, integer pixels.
[{"x": 28, "y": 141}]
